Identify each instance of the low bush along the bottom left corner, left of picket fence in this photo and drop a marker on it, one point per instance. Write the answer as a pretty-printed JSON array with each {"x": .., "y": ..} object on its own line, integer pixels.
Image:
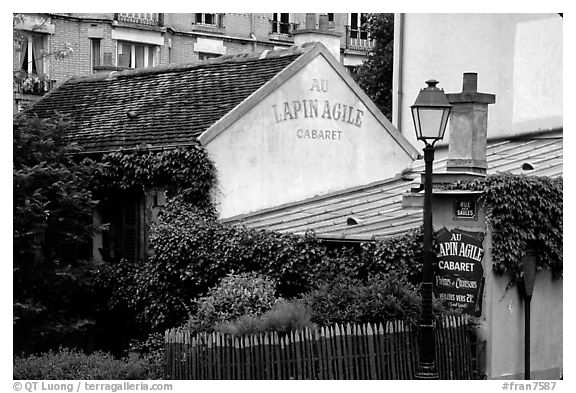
[{"x": 70, "y": 364}]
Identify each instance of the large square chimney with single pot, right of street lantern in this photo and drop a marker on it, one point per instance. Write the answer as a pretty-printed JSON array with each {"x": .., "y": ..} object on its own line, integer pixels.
[{"x": 468, "y": 127}]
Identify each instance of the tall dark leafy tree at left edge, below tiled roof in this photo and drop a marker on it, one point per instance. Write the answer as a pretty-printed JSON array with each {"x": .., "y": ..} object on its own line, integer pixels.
[{"x": 52, "y": 220}]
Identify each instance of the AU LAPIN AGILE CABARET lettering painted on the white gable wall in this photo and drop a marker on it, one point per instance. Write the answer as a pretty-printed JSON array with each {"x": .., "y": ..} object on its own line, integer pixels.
[{"x": 314, "y": 109}]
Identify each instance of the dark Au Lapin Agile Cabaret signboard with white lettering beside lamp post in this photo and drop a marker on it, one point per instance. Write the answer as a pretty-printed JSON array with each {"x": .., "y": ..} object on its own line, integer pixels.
[{"x": 459, "y": 272}]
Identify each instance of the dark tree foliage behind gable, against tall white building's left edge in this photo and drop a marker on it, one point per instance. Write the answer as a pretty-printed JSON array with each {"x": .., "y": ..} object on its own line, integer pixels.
[{"x": 375, "y": 74}]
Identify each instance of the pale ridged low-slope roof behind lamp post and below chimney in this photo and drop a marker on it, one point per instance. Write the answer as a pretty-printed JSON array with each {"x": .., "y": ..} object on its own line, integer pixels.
[{"x": 377, "y": 207}]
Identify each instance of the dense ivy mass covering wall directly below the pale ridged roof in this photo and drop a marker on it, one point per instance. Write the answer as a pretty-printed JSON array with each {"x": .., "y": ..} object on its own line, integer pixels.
[{"x": 193, "y": 251}]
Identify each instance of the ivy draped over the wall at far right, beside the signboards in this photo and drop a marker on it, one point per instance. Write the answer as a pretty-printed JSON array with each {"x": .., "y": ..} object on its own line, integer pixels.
[{"x": 522, "y": 210}]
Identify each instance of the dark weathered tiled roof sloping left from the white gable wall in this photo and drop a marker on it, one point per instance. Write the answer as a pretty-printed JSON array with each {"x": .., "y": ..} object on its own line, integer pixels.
[{"x": 160, "y": 106}]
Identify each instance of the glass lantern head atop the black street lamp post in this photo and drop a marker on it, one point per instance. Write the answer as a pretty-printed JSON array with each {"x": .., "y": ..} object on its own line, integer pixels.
[{"x": 430, "y": 113}]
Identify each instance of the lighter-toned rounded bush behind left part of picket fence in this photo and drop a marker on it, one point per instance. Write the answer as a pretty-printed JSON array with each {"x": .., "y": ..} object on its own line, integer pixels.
[{"x": 236, "y": 295}]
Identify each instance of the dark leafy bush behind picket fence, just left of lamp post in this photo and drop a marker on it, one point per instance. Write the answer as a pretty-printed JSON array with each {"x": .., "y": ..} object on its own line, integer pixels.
[{"x": 382, "y": 297}]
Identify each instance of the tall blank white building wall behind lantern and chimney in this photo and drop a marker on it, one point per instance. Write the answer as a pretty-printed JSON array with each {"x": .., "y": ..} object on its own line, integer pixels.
[{"x": 518, "y": 57}]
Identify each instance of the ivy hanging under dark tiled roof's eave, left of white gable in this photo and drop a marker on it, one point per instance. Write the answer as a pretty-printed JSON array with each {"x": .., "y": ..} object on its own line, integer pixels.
[{"x": 185, "y": 170}]
